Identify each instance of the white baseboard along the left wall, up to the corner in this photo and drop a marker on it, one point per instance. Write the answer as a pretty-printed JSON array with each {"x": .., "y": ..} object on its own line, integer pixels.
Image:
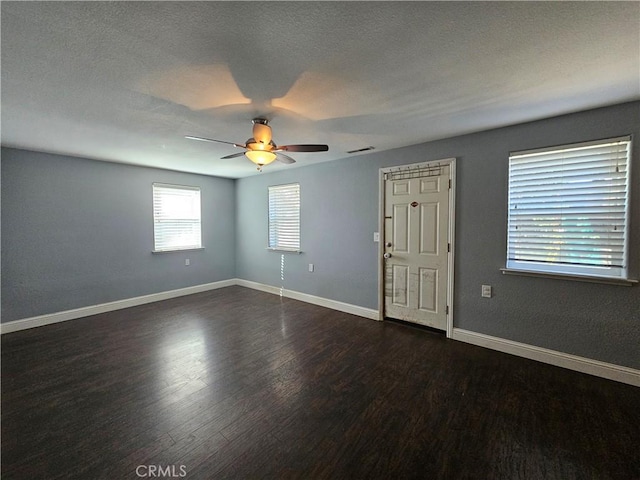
[{"x": 63, "y": 316}]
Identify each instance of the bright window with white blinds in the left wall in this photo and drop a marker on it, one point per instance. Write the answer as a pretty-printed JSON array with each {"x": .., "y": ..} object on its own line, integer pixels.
[{"x": 176, "y": 218}]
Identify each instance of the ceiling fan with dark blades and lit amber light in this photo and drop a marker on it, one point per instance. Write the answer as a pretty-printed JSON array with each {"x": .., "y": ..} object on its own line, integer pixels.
[{"x": 261, "y": 149}]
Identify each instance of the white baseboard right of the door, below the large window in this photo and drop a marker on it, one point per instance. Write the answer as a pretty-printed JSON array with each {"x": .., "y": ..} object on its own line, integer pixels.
[{"x": 572, "y": 362}]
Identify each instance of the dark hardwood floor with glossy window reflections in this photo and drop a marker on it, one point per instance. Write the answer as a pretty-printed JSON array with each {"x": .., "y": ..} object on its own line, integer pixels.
[{"x": 241, "y": 384}]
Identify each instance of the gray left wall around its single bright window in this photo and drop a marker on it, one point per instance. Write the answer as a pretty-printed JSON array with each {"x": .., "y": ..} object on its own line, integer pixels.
[{"x": 77, "y": 232}]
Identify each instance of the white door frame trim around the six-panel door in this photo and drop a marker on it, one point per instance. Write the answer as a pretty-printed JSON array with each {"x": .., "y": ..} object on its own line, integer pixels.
[{"x": 450, "y": 233}]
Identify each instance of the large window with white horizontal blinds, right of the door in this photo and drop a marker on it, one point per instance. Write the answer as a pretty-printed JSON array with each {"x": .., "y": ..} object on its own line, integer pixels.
[{"x": 569, "y": 209}]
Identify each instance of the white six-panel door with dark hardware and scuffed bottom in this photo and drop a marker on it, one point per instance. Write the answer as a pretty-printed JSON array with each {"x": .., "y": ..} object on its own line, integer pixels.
[{"x": 416, "y": 244}]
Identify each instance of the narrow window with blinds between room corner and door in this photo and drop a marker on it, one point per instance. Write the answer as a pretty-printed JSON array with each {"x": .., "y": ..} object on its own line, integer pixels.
[{"x": 284, "y": 217}]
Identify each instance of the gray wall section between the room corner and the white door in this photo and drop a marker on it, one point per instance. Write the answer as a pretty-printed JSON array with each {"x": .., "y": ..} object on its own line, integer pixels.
[{"x": 338, "y": 215}]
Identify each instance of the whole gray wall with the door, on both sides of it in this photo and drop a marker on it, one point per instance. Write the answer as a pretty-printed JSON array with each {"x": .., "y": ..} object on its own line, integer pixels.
[{"x": 340, "y": 213}]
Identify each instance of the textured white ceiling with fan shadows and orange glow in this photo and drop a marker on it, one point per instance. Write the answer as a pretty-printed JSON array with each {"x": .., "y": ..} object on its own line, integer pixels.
[{"x": 125, "y": 81}]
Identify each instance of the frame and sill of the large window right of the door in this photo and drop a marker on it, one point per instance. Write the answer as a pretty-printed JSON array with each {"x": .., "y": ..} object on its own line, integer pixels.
[{"x": 590, "y": 273}]
